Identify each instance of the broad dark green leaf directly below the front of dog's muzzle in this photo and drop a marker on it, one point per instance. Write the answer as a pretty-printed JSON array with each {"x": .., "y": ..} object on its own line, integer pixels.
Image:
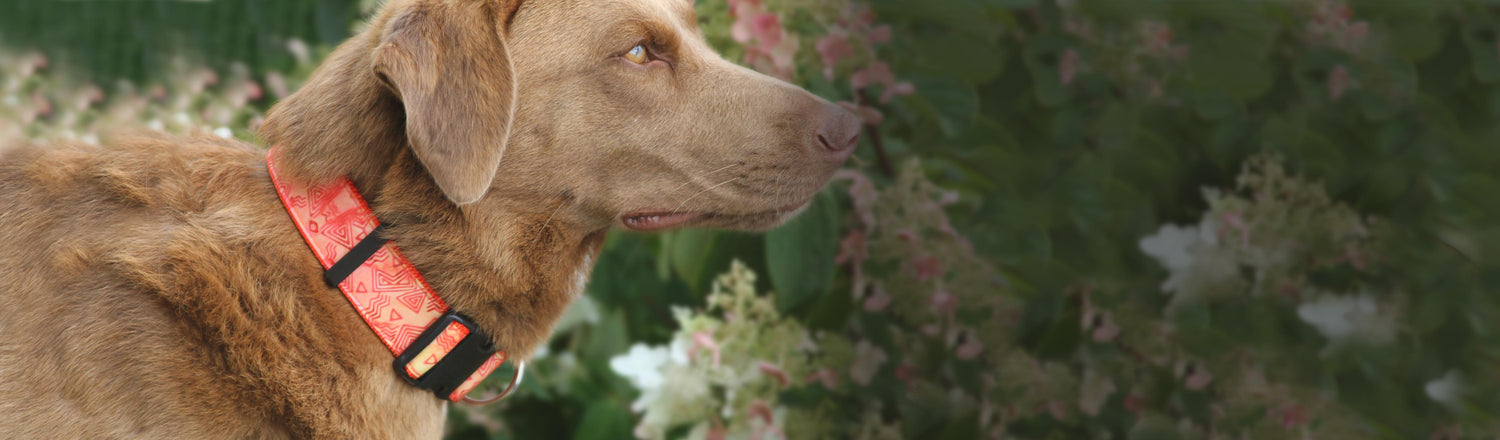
[{"x": 800, "y": 255}]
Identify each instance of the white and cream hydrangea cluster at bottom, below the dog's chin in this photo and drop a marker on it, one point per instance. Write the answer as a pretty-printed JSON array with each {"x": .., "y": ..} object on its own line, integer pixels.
[{"x": 724, "y": 370}]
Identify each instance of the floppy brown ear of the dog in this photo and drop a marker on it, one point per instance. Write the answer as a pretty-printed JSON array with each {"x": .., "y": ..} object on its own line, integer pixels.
[{"x": 449, "y": 65}]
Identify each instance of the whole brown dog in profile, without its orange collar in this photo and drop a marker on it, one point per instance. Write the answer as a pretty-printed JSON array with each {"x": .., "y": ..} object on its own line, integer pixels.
[{"x": 157, "y": 289}]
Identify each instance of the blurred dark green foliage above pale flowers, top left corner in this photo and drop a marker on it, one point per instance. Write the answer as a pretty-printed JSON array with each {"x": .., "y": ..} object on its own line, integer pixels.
[{"x": 134, "y": 40}]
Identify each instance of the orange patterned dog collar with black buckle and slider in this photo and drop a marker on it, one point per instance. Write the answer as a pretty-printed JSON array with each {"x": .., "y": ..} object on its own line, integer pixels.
[{"x": 388, "y": 292}]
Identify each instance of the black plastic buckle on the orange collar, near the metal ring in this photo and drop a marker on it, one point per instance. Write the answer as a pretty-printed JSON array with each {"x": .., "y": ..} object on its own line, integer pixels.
[{"x": 457, "y": 367}]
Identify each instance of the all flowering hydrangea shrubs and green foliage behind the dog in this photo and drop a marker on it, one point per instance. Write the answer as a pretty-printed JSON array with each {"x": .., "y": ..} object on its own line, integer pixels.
[{"x": 1067, "y": 220}]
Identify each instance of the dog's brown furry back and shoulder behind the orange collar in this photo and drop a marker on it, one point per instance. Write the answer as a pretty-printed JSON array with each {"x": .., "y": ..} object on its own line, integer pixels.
[{"x": 146, "y": 279}]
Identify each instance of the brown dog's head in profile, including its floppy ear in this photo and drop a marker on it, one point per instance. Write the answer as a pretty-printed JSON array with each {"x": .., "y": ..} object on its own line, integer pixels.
[{"x": 616, "y": 109}]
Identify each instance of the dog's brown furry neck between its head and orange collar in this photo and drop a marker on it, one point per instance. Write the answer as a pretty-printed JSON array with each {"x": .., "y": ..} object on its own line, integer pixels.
[{"x": 509, "y": 262}]
